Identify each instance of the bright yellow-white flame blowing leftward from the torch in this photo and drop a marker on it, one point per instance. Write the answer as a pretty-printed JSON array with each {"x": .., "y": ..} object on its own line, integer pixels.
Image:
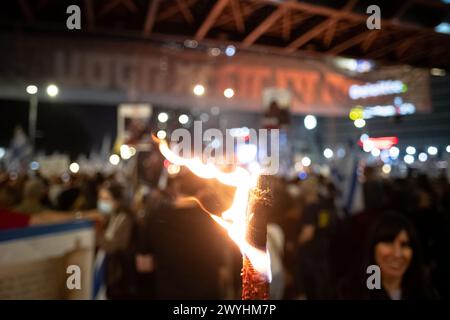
[{"x": 234, "y": 220}]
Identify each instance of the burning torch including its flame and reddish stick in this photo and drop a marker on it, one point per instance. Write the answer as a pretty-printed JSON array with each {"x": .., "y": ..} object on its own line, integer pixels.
[{"x": 245, "y": 225}]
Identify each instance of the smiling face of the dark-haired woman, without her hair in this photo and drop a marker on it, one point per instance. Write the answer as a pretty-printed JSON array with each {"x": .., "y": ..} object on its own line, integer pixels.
[{"x": 394, "y": 257}]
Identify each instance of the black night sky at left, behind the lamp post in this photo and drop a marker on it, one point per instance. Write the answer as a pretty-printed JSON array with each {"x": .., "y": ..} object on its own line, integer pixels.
[{"x": 66, "y": 128}]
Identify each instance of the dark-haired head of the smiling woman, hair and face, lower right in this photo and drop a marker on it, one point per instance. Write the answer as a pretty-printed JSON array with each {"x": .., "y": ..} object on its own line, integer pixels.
[{"x": 394, "y": 247}]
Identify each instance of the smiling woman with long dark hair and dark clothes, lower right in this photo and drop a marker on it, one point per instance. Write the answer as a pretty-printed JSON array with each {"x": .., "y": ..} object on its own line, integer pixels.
[{"x": 394, "y": 247}]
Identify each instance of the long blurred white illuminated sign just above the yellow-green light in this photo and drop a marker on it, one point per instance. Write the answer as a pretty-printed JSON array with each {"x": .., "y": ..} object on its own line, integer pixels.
[{"x": 380, "y": 88}]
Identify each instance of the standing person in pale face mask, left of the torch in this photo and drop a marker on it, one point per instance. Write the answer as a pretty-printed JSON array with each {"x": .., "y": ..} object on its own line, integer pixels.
[{"x": 116, "y": 241}]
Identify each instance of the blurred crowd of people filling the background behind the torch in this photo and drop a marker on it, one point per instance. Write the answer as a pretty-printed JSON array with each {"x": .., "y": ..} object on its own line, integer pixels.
[{"x": 160, "y": 243}]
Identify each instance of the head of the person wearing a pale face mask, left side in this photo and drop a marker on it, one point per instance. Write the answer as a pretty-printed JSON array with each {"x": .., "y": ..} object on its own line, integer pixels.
[{"x": 110, "y": 198}]
